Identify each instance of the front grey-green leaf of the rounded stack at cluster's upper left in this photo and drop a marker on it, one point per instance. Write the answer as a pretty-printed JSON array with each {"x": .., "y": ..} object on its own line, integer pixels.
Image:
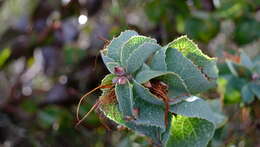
[{"x": 140, "y": 55}]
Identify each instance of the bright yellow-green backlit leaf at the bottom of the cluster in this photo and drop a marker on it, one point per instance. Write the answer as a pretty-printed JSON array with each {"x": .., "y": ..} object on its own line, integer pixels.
[{"x": 190, "y": 132}]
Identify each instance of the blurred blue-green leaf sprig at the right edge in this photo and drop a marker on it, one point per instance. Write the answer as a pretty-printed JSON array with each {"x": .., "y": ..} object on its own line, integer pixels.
[{"x": 243, "y": 82}]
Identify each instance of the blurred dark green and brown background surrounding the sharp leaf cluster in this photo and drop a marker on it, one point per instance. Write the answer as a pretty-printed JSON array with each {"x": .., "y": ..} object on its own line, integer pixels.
[{"x": 49, "y": 57}]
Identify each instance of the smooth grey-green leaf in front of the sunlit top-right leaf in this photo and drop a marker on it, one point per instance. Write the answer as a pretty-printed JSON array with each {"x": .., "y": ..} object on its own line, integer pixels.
[{"x": 196, "y": 82}]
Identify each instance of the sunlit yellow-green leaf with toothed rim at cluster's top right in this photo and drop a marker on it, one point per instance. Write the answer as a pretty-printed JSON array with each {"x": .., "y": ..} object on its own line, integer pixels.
[{"x": 190, "y": 50}]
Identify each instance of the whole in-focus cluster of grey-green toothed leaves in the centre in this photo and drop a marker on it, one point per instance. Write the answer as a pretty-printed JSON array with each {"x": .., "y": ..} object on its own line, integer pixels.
[{"x": 182, "y": 67}]
